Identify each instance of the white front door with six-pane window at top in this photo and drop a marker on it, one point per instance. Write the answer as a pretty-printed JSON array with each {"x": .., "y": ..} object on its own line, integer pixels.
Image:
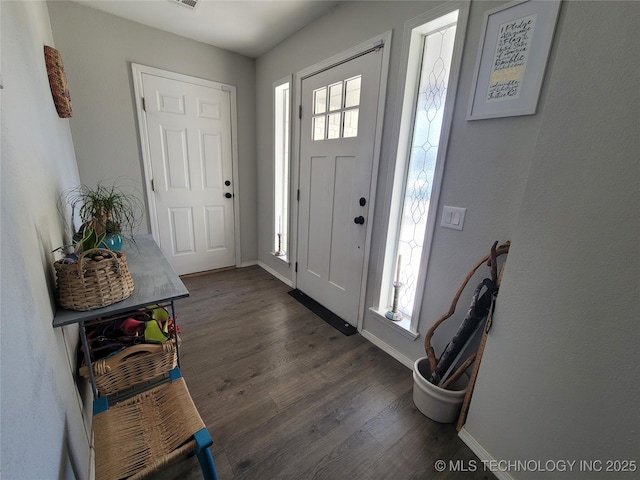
[{"x": 337, "y": 136}]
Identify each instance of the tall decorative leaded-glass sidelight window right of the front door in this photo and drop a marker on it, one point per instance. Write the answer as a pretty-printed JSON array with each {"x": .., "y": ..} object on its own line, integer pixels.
[{"x": 430, "y": 57}]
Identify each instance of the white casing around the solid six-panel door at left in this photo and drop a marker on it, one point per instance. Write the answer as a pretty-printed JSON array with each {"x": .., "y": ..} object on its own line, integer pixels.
[{"x": 137, "y": 71}]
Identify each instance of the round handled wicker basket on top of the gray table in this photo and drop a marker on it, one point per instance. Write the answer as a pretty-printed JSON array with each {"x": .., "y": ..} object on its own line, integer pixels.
[{"x": 89, "y": 284}]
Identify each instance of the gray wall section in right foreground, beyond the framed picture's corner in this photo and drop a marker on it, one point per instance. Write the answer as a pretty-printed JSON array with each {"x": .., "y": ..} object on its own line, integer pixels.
[{"x": 560, "y": 378}]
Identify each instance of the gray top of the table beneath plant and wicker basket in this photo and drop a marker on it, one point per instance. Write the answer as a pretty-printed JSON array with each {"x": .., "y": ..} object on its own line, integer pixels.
[{"x": 154, "y": 281}]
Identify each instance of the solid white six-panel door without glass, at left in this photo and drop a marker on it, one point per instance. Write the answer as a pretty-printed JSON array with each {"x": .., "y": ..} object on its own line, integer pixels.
[{"x": 188, "y": 128}]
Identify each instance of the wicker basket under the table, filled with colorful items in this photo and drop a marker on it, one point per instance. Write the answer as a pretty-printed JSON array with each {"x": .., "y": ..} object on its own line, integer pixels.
[{"x": 131, "y": 366}]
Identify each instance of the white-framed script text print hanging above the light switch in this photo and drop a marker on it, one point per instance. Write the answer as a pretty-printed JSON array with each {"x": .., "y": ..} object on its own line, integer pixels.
[{"x": 512, "y": 56}]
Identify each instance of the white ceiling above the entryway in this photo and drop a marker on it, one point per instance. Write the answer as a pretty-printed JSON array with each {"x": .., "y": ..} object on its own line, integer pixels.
[{"x": 250, "y": 28}]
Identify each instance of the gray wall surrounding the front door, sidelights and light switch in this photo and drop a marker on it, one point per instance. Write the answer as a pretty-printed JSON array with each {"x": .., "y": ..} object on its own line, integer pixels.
[{"x": 486, "y": 167}]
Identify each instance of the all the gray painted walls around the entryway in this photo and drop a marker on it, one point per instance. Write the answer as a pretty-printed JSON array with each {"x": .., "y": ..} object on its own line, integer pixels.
[{"x": 559, "y": 378}]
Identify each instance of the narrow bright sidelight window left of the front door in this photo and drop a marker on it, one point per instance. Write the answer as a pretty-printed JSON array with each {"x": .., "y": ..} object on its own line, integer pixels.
[{"x": 281, "y": 169}]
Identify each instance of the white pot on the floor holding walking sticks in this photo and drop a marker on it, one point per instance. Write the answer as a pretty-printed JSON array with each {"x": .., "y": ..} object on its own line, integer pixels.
[{"x": 437, "y": 403}]
